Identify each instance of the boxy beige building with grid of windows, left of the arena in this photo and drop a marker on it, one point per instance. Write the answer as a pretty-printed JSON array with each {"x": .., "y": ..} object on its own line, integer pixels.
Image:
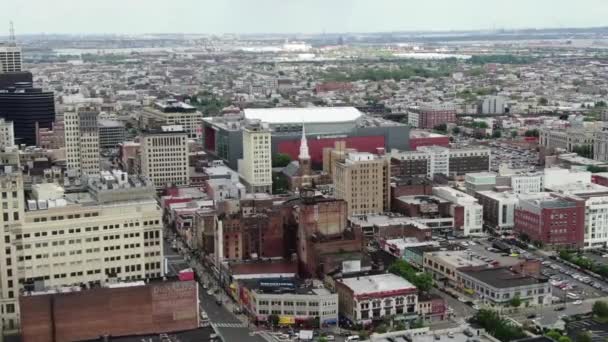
[{"x": 164, "y": 156}]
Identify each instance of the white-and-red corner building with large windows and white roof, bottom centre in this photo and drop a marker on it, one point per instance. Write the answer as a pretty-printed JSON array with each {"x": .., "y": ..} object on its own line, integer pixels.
[{"x": 365, "y": 298}]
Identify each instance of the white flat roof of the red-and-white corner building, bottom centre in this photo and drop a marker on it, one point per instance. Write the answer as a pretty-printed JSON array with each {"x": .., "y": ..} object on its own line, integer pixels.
[{"x": 376, "y": 283}]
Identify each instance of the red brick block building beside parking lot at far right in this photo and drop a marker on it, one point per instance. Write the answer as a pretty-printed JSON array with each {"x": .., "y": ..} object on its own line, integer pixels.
[{"x": 551, "y": 219}]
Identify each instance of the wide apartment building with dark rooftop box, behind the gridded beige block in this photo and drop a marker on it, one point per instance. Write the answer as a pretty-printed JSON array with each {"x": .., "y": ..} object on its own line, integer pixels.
[{"x": 172, "y": 112}]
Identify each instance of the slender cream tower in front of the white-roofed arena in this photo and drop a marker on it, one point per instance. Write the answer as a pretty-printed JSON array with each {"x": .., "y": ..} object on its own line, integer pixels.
[{"x": 256, "y": 166}]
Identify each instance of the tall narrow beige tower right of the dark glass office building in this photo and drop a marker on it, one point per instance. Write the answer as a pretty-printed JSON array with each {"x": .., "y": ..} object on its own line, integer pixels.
[{"x": 82, "y": 140}]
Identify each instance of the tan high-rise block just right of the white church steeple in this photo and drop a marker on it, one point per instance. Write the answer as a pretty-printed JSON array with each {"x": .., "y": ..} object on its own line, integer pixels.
[{"x": 363, "y": 181}]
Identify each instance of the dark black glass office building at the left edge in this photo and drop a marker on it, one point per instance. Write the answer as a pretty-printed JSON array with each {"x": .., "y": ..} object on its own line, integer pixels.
[{"x": 25, "y": 106}]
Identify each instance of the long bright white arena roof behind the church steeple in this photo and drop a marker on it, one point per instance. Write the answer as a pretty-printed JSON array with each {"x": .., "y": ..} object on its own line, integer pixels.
[{"x": 303, "y": 115}]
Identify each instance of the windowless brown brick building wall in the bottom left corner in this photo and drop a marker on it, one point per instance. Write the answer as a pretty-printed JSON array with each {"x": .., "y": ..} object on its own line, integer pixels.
[{"x": 155, "y": 308}]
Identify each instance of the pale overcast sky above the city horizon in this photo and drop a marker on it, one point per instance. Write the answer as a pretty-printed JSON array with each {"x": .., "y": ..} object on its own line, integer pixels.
[{"x": 294, "y": 16}]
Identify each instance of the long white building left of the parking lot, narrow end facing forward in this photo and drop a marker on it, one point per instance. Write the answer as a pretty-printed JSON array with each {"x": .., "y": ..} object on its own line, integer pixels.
[{"x": 473, "y": 211}]
